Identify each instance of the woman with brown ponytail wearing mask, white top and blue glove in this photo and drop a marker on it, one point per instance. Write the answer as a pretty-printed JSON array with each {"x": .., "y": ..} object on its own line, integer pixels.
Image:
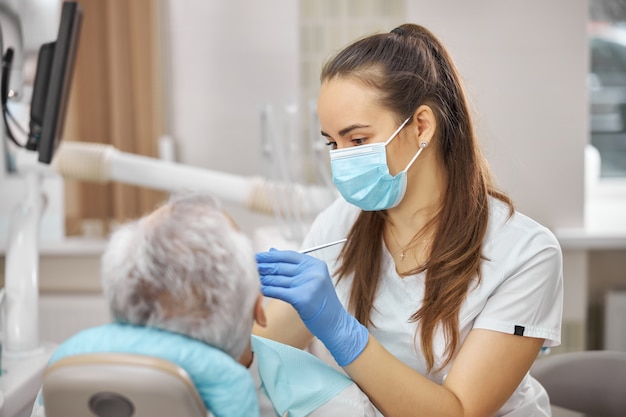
[{"x": 443, "y": 294}]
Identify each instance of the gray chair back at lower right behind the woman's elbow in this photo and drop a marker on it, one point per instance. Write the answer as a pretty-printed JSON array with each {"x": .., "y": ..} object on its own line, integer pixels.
[{"x": 589, "y": 382}]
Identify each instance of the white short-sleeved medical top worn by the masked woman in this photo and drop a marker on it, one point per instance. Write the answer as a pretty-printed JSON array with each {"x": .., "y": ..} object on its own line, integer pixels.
[{"x": 521, "y": 292}]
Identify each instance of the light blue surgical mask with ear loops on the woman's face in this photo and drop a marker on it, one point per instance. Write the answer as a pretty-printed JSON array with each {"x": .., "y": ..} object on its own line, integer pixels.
[{"x": 361, "y": 175}]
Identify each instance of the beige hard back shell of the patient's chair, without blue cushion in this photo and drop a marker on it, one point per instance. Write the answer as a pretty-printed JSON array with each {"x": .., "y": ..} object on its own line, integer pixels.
[{"x": 119, "y": 385}]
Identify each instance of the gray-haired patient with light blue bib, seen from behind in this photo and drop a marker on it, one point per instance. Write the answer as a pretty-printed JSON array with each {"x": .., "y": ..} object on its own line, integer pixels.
[{"x": 186, "y": 269}]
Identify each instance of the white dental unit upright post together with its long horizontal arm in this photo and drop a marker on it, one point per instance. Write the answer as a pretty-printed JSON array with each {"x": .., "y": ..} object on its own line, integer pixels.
[{"x": 104, "y": 163}]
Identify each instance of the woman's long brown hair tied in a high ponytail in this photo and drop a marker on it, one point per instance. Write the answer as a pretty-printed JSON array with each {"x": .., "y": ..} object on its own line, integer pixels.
[{"x": 409, "y": 67}]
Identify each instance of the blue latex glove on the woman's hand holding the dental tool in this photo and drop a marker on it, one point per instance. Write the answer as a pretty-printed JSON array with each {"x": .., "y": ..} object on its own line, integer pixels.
[{"x": 304, "y": 282}]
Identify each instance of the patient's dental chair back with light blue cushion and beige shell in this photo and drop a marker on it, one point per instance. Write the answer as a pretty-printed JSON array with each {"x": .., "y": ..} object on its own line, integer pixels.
[{"x": 119, "y": 370}]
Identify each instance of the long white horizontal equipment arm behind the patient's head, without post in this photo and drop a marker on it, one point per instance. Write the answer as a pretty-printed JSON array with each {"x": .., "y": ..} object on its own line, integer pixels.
[{"x": 103, "y": 163}]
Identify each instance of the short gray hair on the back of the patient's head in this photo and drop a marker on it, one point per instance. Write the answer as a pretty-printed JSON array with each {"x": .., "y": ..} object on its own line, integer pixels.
[{"x": 184, "y": 268}]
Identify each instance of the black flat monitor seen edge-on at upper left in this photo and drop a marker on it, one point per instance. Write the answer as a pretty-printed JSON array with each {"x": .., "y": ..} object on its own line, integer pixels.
[{"x": 51, "y": 88}]
